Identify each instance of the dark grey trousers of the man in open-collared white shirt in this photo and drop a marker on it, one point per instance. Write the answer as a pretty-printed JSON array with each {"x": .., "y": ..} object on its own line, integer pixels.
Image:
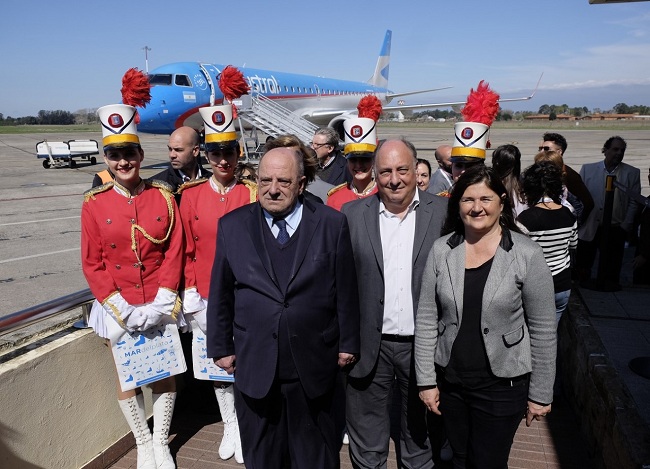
[{"x": 368, "y": 403}]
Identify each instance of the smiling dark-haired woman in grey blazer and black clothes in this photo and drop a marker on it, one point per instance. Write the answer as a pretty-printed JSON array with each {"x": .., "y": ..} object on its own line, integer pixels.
[{"x": 485, "y": 354}]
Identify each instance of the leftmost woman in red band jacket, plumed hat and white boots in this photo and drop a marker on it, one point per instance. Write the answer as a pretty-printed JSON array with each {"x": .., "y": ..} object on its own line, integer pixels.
[{"x": 132, "y": 255}]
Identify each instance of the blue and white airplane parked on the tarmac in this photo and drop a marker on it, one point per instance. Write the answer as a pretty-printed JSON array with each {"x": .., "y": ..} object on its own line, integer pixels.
[{"x": 180, "y": 89}]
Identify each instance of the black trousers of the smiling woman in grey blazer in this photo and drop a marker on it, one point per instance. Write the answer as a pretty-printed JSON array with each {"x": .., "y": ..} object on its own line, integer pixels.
[{"x": 482, "y": 423}]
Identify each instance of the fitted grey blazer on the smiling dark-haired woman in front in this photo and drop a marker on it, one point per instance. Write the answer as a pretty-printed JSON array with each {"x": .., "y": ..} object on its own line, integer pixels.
[{"x": 517, "y": 319}]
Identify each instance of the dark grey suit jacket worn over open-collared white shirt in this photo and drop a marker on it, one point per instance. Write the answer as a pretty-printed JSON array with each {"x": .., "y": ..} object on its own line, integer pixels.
[{"x": 363, "y": 217}]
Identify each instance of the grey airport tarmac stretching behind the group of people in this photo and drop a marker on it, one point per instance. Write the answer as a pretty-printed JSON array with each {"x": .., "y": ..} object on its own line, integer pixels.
[{"x": 40, "y": 208}]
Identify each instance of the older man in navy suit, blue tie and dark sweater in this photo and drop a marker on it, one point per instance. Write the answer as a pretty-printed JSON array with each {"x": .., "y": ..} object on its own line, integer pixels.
[{"x": 283, "y": 315}]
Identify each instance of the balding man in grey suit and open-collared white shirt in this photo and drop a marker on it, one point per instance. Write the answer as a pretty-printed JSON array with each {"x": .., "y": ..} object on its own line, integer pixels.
[{"x": 392, "y": 234}]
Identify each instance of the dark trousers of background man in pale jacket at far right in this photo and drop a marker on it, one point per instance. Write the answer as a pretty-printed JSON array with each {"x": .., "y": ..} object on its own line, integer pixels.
[{"x": 614, "y": 252}]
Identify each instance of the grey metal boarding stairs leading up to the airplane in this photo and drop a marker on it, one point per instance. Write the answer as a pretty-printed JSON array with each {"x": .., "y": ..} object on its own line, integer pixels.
[{"x": 272, "y": 118}]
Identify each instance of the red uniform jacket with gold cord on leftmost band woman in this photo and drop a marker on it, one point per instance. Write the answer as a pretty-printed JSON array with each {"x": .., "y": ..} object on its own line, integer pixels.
[{"x": 107, "y": 258}]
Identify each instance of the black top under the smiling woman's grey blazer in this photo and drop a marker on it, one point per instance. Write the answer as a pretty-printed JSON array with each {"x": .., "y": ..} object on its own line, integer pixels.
[{"x": 468, "y": 364}]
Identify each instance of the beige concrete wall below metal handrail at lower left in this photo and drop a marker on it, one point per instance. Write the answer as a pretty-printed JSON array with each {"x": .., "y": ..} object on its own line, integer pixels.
[{"x": 58, "y": 404}]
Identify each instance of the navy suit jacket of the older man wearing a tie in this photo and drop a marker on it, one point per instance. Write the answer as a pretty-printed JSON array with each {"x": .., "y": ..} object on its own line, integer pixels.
[{"x": 320, "y": 303}]
